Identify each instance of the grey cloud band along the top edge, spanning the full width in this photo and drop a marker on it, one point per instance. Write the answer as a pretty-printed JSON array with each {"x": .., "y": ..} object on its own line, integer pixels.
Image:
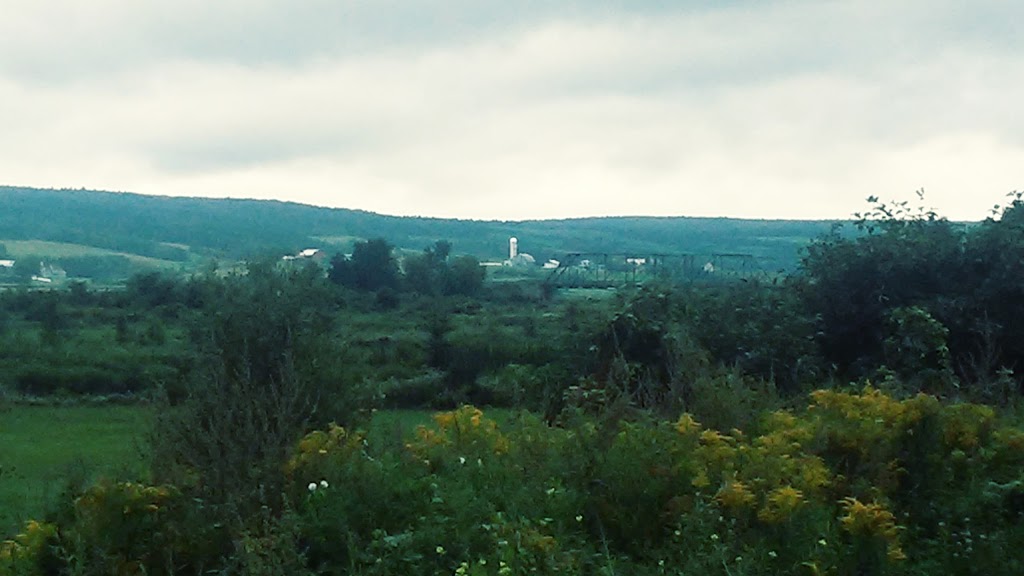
[{"x": 62, "y": 42}]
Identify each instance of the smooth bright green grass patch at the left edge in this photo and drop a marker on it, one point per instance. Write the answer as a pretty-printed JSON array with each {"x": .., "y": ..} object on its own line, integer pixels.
[{"x": 45, "y": 448}]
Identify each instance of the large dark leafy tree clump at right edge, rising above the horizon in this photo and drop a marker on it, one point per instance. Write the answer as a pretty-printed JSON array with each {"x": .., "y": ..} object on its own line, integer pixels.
[{"x": 926, "y": 300}]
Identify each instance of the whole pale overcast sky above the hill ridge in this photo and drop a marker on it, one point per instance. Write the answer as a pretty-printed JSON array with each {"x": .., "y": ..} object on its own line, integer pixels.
[{"x": 506, "y": 110}]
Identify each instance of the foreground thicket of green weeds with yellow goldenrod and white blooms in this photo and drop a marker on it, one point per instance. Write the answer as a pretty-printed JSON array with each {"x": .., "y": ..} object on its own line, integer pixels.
[{"x": 855, "y": 483}]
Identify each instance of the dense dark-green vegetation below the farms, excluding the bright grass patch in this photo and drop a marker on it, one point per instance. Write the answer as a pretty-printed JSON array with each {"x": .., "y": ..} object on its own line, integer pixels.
[{"x": 860, "y": 418}]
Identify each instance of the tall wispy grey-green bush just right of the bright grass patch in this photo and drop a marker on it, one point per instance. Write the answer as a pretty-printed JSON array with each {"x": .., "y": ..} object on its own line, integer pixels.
[{"x": 266, "y": 361}]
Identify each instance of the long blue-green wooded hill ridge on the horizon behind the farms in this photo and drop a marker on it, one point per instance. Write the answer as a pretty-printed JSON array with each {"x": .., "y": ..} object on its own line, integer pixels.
[{"x": 190, "y": 230}]
